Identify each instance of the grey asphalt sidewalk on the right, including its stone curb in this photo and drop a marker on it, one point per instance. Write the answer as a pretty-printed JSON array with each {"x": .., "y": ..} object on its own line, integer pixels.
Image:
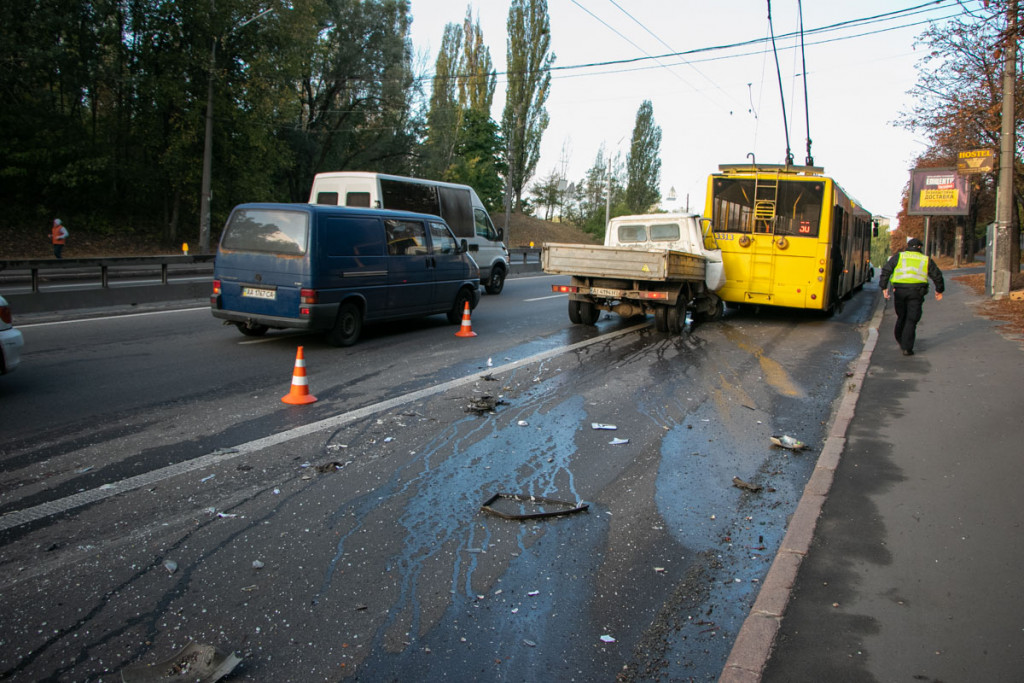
[{"x": 915, "y": 571}]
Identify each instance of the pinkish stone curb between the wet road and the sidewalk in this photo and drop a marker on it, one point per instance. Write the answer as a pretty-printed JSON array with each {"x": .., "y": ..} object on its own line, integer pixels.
[{"x": 756, "y": 639}]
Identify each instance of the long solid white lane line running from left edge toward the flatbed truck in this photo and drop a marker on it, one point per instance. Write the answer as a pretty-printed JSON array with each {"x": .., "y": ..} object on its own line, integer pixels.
[{"x": 20, "y": 518}]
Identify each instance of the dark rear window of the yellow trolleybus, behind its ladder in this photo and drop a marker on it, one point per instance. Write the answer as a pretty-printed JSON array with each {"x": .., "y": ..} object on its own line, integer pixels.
[{"x": 797, "y": 206}]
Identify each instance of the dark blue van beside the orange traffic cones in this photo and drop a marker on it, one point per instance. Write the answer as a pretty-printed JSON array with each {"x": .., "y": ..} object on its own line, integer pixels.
[{"x": 333, "y": 269}]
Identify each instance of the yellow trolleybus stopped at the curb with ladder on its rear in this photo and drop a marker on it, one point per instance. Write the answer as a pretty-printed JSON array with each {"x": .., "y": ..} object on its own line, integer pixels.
[{"x": 790, "y": 236}]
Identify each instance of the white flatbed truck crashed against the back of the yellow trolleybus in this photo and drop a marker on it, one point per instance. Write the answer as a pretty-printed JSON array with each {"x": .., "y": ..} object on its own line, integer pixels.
[{"x": 661, "y": 265}]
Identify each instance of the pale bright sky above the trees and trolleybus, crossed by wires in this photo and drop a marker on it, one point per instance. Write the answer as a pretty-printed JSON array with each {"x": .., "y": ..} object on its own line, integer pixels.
[{"x": 719, "y": 106}]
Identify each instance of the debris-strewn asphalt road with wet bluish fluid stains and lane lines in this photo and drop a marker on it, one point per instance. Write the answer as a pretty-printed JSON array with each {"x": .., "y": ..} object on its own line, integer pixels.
[{"x": 346, "y": 539}]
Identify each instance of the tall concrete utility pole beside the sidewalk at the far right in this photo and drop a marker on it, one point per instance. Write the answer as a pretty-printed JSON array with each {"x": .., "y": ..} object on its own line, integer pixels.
[{"x": 1003, "y": 249}]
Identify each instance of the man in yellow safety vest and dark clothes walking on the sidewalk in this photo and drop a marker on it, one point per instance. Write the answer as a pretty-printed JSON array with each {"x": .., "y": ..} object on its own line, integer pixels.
[{"x": 909, "y": 272}]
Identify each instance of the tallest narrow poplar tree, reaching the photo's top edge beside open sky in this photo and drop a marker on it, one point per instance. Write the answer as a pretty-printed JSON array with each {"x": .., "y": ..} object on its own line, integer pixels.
[{"x": 526, "y": 118}]
